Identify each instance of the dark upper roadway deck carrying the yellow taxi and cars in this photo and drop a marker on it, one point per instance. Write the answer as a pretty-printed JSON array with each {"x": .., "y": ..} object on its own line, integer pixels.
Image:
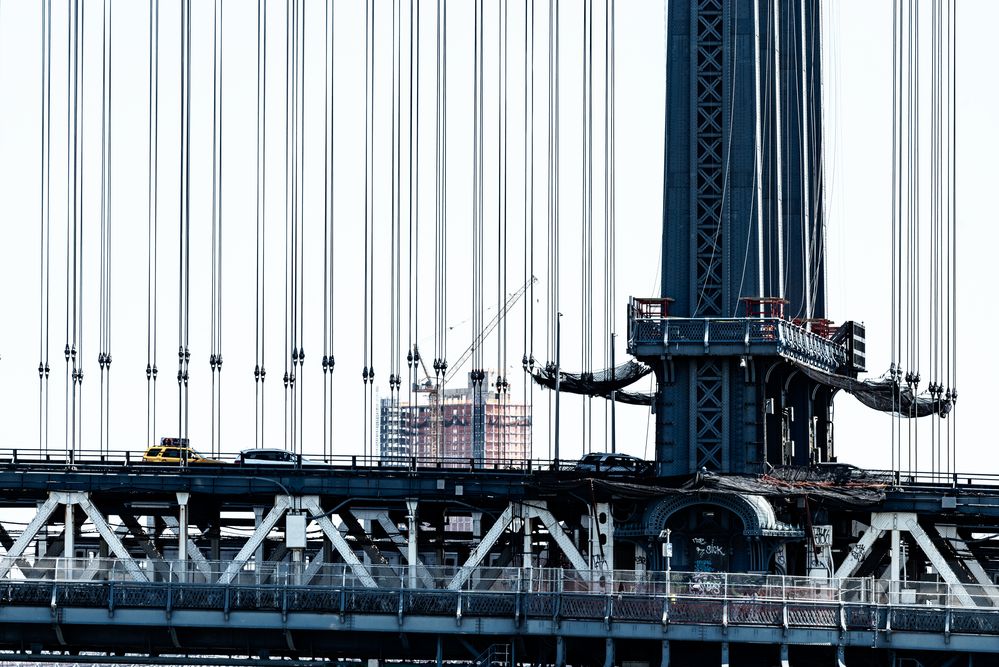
[{"x": 25, "y": 480}]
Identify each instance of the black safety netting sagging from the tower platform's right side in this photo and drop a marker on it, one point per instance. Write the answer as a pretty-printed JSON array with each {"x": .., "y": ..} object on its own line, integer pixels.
[{"x": 885, "y": 394}]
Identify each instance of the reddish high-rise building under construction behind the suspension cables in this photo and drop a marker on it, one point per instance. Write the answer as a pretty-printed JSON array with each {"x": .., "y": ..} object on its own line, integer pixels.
[{"x": 458, "y": 424}]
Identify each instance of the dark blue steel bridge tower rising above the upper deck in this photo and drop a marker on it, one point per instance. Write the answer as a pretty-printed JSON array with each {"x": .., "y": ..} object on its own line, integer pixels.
[{"x": 743, "y": 269}]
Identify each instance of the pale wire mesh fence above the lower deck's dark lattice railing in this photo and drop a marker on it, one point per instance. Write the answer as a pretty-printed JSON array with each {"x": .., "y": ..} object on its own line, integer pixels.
[{"x": 719, "y": 586}]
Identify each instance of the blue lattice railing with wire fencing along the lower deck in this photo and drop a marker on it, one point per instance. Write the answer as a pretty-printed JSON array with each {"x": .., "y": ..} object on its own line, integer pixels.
[{"x": 698, "y": 598}]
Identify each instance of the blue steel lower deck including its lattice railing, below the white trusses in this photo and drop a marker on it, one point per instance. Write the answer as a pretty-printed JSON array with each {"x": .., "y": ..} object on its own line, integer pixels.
[{"x": 288, "y": 620}]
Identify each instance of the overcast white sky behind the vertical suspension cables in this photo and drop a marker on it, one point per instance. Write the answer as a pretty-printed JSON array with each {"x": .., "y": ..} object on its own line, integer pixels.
[{"x": 858, "y": 70}]
